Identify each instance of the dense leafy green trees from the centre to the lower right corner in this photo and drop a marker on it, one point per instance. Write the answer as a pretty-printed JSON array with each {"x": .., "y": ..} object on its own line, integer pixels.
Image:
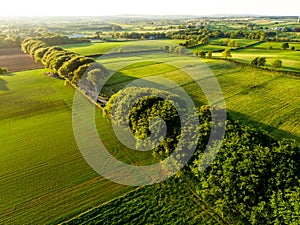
[{"x": 253, "y": 179}]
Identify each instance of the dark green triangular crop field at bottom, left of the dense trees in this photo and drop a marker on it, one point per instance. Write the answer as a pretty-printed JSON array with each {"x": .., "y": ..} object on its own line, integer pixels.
[{"x": 167, "y": 203}]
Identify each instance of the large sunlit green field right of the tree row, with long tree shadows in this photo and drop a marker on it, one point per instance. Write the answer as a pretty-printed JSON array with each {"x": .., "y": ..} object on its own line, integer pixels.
[{"x": 261, "y": 98}]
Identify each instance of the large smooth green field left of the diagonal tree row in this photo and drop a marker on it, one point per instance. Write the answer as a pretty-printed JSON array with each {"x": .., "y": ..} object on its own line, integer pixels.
[{"x": 43, "y": 177}]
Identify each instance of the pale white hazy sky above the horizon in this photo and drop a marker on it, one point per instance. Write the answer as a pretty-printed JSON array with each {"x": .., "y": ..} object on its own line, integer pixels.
[{"x": 148, "y": 7}]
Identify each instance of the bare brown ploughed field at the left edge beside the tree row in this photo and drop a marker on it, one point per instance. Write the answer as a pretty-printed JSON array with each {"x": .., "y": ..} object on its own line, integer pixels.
[{"x": 15, "y": 60}]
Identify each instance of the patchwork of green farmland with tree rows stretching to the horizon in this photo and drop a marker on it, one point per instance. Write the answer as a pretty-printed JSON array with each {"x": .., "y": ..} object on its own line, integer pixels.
[{"x": 45, "y": 180}]
